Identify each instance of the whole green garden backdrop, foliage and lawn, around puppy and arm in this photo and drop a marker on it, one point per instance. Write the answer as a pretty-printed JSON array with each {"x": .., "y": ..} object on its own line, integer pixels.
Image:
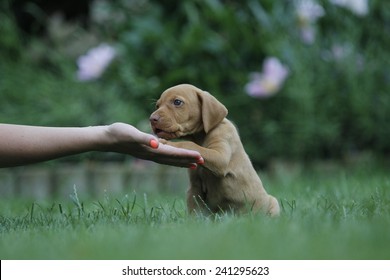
[{"x": 319, "y": 136}]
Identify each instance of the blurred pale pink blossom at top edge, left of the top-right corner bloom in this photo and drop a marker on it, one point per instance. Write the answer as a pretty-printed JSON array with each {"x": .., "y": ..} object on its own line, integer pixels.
[{"x": 308, "y": 11}]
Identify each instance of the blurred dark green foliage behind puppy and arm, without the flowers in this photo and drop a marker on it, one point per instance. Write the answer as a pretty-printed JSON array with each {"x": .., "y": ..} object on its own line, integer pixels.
[{"x": 334, "y": 103}]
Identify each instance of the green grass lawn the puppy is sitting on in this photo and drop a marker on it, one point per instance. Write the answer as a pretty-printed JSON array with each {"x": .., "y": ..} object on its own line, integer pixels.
[{"x": 338, "y": 213}]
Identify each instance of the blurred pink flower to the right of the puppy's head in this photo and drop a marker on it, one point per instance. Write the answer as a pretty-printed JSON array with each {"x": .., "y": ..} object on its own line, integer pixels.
[{"x": 270, "y": 81}]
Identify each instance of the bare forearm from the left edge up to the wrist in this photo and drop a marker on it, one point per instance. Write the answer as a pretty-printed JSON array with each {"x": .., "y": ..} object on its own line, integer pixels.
[{"x": 28, "y": 144}]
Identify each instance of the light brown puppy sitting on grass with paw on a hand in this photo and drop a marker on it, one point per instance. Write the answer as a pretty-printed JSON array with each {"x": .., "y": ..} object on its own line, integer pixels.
[{"x": 226, "y": 181}]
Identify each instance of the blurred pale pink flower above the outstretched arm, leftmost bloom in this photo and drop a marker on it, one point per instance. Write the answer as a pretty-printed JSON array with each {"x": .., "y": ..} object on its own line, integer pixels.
[{"x": 94, "y": 62}]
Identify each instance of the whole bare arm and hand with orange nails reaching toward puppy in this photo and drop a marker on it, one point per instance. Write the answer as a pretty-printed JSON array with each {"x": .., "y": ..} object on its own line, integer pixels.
[{"x": 20, "y": 144}]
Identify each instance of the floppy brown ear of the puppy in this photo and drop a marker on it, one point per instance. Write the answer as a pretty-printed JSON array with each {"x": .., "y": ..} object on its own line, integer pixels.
[{"x": 213, "y": 111}]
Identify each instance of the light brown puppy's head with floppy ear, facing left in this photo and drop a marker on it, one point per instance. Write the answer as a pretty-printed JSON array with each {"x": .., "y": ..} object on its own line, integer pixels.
[{"x": 185, "y": 110}]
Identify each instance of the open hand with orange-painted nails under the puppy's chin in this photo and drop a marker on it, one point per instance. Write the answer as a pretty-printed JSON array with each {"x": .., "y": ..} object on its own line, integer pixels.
[{"x": 126, "y": 139}]
